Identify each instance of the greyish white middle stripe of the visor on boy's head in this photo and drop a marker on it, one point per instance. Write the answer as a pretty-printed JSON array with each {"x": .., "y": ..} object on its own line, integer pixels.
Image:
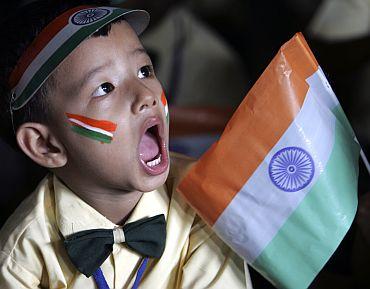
[{"x": 56, "y": 42}]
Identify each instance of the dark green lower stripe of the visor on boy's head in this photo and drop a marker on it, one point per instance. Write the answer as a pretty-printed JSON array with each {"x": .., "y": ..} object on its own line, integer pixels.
[{"x": 60, "y": 54}]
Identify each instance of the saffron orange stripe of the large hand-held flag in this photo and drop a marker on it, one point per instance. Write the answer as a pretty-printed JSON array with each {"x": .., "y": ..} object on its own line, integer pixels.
[{"x": 257, "y": 125}]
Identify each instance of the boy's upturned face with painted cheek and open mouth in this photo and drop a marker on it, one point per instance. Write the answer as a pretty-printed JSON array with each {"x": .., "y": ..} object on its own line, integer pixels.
[{"x": 110, "y": 78}]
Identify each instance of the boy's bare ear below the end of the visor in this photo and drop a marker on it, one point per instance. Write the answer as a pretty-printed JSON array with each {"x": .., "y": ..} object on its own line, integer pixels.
[{"x": 37, "y": 142}]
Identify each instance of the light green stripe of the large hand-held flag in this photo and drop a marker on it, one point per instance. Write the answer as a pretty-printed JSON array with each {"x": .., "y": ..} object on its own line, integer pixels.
[{"x": 315, "y": 229}]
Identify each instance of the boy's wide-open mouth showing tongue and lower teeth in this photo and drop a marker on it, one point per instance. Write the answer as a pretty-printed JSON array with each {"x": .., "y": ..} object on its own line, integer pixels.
[{"x": 152, "y": 148}]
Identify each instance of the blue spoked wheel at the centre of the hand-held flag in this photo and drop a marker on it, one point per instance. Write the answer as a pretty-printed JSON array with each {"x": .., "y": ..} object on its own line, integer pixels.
[{"x": 291, "y": 169}]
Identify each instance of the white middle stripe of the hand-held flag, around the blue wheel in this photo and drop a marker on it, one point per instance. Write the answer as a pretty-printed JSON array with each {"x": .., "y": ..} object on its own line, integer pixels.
[{"x": 259, "y": 209}]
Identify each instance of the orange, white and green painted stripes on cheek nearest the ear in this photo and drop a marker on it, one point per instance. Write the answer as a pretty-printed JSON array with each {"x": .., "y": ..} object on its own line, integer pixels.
[{"x": 100, "y": 130}]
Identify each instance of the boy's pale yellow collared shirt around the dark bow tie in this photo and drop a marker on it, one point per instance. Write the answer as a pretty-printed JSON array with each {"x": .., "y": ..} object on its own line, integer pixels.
[{"x": 33, "y": 256}]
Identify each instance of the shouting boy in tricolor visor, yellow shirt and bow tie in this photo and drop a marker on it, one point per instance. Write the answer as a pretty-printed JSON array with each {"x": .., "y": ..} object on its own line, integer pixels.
[{"x": 84, "y": 102}]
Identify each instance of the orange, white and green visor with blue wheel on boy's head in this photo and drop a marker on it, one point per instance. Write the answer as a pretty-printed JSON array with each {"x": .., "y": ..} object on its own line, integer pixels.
[{"x": 57, "y": 40}]
